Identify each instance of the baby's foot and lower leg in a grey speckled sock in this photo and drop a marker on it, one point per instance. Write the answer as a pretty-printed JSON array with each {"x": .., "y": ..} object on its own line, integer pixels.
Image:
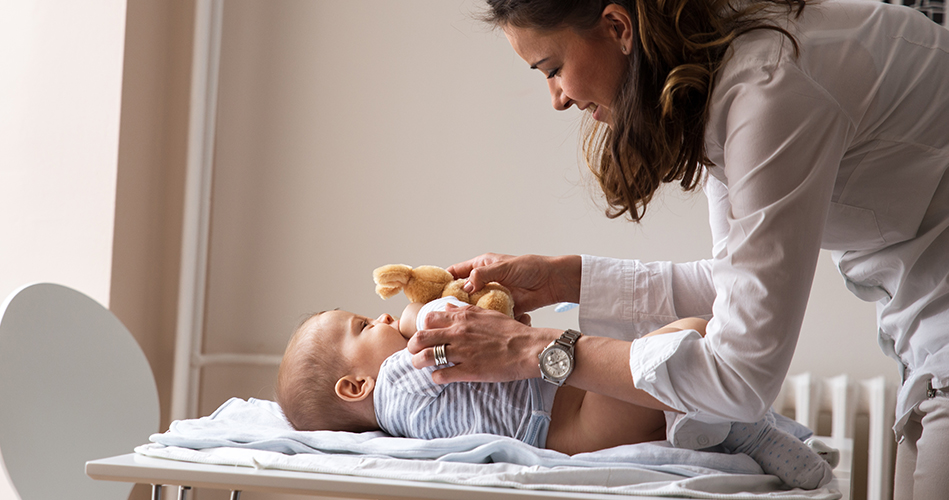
[{"x": 779, "y": 453}]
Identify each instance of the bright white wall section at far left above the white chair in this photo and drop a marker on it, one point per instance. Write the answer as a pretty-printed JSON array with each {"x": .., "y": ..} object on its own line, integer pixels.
[{"x": 60, "y": 93}]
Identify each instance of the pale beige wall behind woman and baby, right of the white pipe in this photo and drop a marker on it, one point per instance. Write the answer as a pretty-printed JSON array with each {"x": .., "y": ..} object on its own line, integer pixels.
[{"x": 357, "y": 134}]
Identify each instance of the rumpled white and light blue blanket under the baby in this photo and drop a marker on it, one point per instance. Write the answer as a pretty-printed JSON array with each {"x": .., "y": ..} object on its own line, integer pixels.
[{"x": 254, "y": 433}]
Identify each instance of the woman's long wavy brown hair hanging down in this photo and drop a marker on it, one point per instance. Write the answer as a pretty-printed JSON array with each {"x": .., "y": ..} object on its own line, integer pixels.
[{"x": 659, "y": 114}]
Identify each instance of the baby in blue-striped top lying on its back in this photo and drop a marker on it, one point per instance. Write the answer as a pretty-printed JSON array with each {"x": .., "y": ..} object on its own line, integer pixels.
[{"x": 346, "y": 372}]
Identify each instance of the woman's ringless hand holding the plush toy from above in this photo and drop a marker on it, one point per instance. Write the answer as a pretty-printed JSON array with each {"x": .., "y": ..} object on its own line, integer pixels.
[{"x": 535, "y": 281}]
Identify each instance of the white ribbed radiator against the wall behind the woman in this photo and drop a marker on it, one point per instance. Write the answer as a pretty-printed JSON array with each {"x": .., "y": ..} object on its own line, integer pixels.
[{"x": 806, "y": 398}]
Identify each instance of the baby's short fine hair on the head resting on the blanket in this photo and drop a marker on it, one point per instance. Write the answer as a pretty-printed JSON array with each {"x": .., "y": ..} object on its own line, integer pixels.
[{"x": 306, "y": 382}]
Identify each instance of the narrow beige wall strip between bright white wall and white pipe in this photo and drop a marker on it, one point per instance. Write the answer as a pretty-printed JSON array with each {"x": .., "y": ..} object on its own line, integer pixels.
[{"x": 150, "y": 186}]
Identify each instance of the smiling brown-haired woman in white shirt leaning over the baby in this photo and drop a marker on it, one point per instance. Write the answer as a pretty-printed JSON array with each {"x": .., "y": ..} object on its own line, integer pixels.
[{"x": 823, "y": 125}]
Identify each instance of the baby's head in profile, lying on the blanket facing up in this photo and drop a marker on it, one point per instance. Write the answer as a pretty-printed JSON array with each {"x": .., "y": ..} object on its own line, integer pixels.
[{"x": 329, "y": 370}]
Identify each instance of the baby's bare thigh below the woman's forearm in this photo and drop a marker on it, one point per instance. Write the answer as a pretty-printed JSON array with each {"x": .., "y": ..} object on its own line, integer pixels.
[{"x": 582, "y": 421}]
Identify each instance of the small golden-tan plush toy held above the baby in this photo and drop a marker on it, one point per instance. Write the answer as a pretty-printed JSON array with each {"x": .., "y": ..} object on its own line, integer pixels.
[{"x": 427, "y": 283}]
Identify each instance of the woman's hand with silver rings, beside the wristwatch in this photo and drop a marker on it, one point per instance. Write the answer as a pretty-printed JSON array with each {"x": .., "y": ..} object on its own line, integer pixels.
[{"x": 484, "y": 345}]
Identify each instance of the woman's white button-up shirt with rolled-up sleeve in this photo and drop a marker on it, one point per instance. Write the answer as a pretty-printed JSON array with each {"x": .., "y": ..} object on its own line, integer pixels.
[{"x": 844, "y": 146}]
